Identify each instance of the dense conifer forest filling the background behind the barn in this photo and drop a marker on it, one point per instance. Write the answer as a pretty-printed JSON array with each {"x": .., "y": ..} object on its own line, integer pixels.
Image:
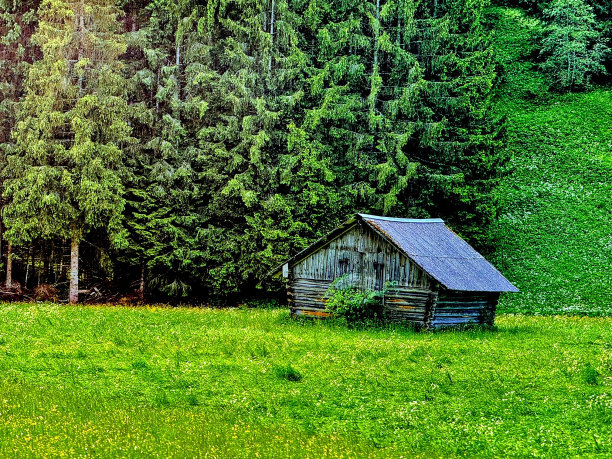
[{"x": 181, "y": 150}]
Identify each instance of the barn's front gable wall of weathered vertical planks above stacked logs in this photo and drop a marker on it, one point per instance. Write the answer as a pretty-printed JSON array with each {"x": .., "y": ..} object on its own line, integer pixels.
[{"x": 367, "y": 261}]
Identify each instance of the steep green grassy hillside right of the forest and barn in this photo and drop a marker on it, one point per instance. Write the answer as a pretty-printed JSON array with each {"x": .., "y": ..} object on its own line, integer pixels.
[{"x": 555, "y": 229}]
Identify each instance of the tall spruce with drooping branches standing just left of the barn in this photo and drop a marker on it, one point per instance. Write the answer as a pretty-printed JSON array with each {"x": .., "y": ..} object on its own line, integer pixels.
[{"x": 249, "y": 76}]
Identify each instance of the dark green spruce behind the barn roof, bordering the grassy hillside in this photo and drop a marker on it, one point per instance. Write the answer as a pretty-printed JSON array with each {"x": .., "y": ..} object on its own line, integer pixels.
[{"x": 457, "y": 140}]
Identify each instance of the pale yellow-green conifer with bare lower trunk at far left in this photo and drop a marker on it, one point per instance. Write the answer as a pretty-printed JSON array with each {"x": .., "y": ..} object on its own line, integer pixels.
[{"x": 64, "y": 177}]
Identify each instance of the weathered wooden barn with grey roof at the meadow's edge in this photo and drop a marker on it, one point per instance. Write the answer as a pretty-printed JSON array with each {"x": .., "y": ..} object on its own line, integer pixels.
[{"x": 437, "y": 278}]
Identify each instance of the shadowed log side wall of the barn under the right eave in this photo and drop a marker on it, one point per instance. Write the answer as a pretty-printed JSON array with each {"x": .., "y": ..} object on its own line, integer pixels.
[{"x": 462, "y": 308}]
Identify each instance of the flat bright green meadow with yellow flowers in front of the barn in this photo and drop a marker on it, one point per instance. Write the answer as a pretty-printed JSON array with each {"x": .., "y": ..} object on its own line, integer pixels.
[{"x": 111, "y": 381}]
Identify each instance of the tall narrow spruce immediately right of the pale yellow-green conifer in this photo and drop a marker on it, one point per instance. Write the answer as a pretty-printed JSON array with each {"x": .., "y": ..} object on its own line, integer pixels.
[{"x": 162, "y": 209}]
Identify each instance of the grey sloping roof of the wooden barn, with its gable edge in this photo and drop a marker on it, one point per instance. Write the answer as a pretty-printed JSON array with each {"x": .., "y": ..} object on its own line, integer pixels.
[{"x": 432, "y": 246}]
